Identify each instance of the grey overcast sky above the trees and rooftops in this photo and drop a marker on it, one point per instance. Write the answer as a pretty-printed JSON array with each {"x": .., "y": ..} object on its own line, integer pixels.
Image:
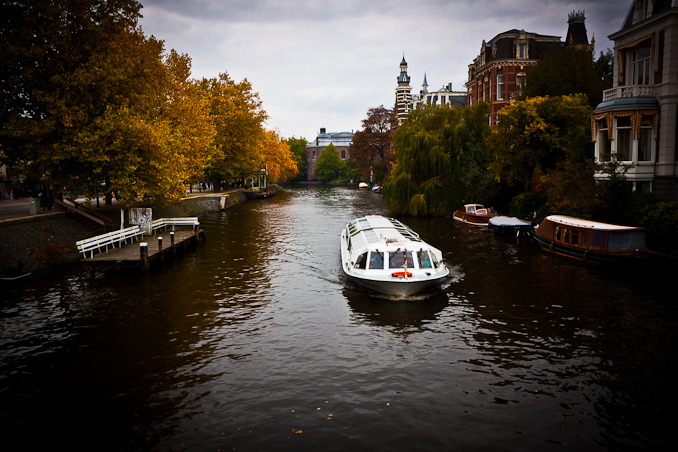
[{"x": 321, "y": 63}]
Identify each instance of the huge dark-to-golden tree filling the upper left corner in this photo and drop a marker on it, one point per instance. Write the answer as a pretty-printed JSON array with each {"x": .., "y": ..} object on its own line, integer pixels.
[{"x": 90, "y": 100}]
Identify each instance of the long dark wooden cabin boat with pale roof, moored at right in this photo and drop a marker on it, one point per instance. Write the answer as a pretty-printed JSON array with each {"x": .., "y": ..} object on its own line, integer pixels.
[{"x": 590, "y": 240}]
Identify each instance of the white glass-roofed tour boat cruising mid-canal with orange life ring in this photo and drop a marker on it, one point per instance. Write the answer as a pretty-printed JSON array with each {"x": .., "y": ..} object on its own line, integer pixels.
[{"x": 384, "y": 255}]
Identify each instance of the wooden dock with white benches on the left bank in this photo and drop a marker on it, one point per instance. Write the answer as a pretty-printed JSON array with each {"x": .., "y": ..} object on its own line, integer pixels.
[{"x": 129, "y": 248}]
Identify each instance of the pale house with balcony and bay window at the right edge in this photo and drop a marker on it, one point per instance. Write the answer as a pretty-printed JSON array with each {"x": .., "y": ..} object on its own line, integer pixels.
[{"x": 635, "y": 127}]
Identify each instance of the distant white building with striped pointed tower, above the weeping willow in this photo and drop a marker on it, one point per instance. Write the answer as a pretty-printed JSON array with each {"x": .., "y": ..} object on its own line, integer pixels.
[{"x": 406, "y": 102}]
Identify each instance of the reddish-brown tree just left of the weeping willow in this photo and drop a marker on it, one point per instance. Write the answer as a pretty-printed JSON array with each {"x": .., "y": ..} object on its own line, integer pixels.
[{"x": 372, "y": 147}]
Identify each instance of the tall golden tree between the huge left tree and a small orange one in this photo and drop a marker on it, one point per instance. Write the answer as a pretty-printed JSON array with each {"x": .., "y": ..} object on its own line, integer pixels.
[{"x": 238, "y": 117}]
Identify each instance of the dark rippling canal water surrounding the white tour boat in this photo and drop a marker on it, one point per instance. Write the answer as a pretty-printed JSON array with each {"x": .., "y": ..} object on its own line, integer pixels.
[{"x": 254, "y": 340}]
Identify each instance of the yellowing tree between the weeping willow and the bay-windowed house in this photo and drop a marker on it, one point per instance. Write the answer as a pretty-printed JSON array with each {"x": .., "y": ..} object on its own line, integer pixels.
[{"x": 543, "y": 145}]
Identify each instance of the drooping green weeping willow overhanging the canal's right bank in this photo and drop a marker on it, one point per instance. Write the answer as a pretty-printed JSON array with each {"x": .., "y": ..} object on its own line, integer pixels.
[{"x": 440, "y": 159}]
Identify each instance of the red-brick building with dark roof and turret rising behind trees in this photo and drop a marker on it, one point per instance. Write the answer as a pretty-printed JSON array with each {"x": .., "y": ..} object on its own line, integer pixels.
[{"x": 498, "y": 72}]
